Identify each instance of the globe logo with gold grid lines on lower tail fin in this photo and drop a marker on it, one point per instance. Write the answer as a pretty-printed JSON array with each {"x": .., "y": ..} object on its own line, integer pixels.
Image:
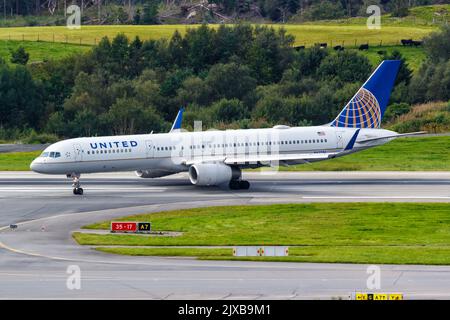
[{"x": 363, "y": 111}]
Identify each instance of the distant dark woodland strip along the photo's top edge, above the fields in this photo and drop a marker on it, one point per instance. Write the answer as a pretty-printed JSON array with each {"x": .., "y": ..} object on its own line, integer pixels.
[{"x": 195, "y": 11}]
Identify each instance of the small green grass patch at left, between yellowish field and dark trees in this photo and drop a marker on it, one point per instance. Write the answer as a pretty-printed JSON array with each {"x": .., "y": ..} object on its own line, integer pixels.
[{"x": 40, "y": 51}]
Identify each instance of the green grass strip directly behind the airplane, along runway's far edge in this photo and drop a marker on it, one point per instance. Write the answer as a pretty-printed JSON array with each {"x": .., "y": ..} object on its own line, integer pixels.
[{"x": 406, "y": 154}]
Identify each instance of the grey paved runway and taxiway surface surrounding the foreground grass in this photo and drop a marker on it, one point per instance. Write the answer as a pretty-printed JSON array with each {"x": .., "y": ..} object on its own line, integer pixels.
[{"x": 35, "y": 257}]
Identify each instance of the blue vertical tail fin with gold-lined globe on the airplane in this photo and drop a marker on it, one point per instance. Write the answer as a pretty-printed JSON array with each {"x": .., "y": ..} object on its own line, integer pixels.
[{"x": 366, "y": 108}]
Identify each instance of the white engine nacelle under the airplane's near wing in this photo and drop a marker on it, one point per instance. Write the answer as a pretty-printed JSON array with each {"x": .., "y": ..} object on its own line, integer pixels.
[{"x": 212, "y": 174}]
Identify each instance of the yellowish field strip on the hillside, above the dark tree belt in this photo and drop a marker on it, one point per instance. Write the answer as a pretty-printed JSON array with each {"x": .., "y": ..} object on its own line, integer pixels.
[{"x": 309, "y": 34}]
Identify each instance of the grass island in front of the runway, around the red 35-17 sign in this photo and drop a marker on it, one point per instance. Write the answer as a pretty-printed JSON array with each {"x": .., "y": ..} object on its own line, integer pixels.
[{"x": 334, "y": 232}]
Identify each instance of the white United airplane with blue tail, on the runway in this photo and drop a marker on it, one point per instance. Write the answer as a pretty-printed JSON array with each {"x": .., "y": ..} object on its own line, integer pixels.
[{"x": 218, "y": 157}]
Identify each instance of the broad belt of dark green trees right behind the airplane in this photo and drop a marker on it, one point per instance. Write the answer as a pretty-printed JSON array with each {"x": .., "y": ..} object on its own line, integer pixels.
[{"x": 238, "y": 76}]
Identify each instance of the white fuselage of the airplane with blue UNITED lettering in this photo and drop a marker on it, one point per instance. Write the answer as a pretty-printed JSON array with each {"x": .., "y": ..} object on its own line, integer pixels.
[{"x": 172, "y": 152}]
